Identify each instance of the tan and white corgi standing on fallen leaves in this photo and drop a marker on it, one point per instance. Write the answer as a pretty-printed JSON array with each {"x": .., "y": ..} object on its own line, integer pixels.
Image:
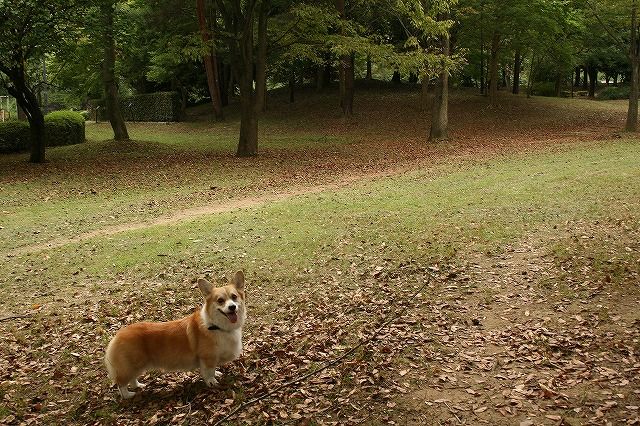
[{"x": 210, "y": 337}]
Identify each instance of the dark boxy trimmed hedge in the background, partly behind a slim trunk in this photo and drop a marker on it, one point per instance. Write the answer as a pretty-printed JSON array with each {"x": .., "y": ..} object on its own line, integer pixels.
[{"x": 159, "y": 106}]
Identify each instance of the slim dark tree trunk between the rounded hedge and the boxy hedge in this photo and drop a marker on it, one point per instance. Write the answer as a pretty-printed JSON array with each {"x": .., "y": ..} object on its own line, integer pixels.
[{"x": 109, "y": 76}]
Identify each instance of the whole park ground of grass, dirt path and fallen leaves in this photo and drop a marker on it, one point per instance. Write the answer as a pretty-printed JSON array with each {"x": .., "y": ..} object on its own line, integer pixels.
[{"x": 492, "y": 279}]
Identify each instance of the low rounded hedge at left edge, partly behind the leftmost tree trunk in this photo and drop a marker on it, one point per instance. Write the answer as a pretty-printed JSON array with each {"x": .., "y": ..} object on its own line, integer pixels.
[{"x": 61, "y": 128}]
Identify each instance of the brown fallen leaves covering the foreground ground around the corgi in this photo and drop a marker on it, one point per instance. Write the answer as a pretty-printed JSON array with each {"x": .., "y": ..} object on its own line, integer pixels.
[{"x": 491, "y": 340}]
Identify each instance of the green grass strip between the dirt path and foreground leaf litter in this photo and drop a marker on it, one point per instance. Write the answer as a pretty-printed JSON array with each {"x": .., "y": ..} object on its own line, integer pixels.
[{"x": 416, "y": 216}]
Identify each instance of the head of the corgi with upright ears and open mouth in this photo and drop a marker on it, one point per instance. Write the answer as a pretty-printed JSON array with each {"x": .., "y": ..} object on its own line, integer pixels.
[{"x": 224, "y": 306}]
